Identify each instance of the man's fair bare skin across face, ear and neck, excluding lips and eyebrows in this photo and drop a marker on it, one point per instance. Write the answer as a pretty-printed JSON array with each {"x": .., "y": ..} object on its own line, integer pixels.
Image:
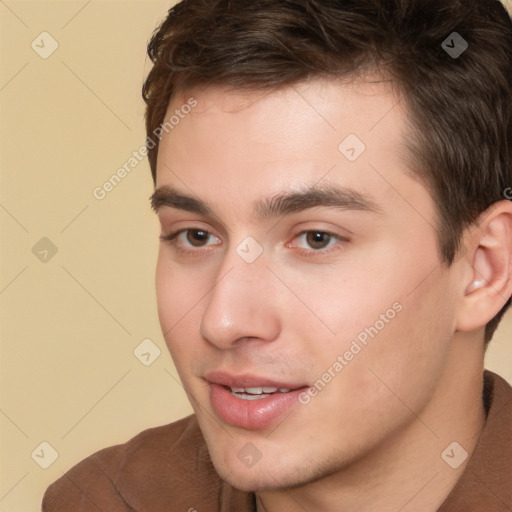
[{"x": 372, "y": 438}]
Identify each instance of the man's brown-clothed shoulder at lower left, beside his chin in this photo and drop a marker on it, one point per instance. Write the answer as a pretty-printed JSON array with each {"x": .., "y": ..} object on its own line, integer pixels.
[{"x": 166, "y": 467}]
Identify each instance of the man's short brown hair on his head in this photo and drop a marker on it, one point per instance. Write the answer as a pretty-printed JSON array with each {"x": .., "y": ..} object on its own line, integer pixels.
[{"x": 460, "y": 107}]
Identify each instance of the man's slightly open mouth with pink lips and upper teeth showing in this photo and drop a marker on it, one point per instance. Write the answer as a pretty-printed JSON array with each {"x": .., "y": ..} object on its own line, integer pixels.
[{"x": 249, "y": 401}]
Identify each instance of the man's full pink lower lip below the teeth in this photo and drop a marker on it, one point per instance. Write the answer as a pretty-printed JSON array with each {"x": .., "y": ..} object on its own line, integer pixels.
[{"x": 251, "y": 414}]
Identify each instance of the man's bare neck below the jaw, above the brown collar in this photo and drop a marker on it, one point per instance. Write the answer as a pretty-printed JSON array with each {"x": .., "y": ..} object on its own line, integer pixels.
[{"x": 407, "y": 472}]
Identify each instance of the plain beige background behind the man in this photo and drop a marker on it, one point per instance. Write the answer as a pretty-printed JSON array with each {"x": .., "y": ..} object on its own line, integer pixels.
[{"x": 70, "y": 324}]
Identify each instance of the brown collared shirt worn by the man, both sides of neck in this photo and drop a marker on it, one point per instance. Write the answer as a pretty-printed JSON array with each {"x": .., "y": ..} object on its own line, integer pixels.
[{"x": 168, "y": 469}]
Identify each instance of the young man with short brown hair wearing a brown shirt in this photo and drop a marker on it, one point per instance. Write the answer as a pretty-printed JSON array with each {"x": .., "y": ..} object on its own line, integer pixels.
[{"x": 333, "y": 183}]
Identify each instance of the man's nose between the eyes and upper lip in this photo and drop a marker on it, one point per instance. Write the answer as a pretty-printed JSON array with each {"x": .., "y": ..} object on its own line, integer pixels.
[{"x": 243, "y": 305}]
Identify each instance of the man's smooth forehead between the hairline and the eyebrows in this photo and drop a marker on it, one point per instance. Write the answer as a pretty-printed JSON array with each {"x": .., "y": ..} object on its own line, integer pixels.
[{"x": 246, "y": 145}]
